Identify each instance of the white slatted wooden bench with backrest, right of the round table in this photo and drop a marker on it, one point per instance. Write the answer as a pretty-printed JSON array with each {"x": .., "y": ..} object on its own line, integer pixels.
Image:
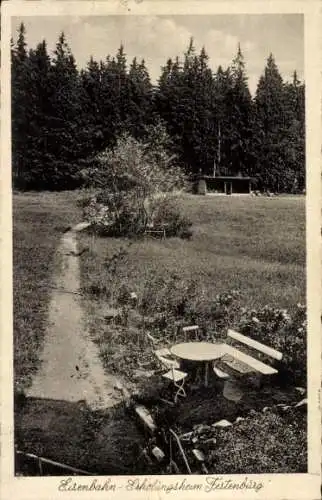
[{"x": 238, "y": 361}]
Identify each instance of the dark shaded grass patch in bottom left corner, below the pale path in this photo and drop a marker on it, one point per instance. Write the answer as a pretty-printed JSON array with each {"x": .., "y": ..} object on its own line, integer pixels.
[{"x": 99, "y": 442}]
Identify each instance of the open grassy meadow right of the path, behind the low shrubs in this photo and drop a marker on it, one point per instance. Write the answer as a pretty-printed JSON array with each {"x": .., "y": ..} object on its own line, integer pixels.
[{"x": 254, "y": 245}]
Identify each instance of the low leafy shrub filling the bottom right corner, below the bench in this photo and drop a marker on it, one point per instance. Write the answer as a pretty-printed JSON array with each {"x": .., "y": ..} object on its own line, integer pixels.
[{"x": 262, "y": 443}]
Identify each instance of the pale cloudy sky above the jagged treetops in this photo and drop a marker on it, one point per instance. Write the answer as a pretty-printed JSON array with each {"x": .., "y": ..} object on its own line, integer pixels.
[{"x": 156, "y": 38}]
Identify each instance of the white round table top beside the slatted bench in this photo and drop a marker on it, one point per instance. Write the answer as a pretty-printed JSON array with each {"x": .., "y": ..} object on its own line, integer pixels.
[{"x": 198, "y": 351}]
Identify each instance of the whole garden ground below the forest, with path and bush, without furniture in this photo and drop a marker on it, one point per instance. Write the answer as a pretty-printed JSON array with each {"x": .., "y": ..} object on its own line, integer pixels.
[{"x": 218, "y": 263}]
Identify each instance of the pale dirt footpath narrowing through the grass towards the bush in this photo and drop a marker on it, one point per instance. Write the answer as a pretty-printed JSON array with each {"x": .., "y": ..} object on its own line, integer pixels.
[{"x": 70, "y": 368}]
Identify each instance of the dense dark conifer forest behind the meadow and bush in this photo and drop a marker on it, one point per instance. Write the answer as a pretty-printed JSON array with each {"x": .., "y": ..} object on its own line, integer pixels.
[{"x": 62, "y": 116}]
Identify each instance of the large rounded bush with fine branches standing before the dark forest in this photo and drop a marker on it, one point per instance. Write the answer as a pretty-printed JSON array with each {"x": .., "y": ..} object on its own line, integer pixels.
[{"x": 136, "y": 183}]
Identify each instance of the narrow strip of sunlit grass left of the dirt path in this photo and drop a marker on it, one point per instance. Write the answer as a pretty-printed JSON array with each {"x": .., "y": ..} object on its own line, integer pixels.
[{"x": 38, "y": 222}]
